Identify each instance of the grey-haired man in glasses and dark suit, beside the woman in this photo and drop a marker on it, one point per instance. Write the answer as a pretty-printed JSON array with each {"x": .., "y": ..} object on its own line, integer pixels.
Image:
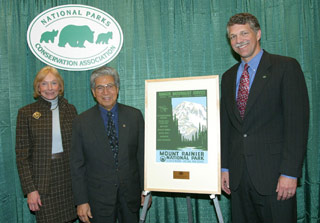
[{"x": 107, "y": 155}]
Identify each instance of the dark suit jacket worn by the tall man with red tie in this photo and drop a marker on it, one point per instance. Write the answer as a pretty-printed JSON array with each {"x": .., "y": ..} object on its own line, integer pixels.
[{"x": 272, "y": 138}]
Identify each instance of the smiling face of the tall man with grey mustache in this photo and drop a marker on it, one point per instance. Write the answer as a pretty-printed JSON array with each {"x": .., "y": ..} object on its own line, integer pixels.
[{"x": 244, "y": 41}]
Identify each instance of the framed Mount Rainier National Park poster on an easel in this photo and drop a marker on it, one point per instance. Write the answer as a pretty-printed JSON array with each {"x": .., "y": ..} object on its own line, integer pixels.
[{"x": 182, "y": 135}]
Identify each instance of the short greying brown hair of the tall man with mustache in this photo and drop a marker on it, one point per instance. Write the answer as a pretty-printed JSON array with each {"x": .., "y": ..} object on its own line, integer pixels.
[{"x": 244, "y": 18}]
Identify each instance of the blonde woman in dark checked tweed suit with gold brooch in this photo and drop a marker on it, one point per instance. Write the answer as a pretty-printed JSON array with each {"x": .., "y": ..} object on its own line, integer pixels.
[{"x": 43, "y": 137}]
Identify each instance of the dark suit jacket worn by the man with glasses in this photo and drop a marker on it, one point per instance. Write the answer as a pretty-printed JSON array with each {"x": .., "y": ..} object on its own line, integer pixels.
[{"x": 95, "y": 178}]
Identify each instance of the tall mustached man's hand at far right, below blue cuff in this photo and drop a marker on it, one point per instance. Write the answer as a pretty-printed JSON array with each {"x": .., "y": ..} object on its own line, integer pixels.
[{"x": 286, "y": 188}]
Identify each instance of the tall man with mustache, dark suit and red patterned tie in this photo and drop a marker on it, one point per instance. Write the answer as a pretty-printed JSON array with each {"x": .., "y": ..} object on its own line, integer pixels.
[{"x": 264, "y": 128}]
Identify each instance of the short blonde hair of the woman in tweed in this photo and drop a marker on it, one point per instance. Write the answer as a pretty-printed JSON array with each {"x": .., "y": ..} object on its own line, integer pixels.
[{"x": 41, "y": 75}]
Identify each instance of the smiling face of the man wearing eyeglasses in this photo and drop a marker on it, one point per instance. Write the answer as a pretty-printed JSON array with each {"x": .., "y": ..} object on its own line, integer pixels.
[{"x": 105, "y": 91}]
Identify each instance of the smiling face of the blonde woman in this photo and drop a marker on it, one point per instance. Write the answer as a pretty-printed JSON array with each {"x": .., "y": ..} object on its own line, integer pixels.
[{"x": 49, "y": 87}]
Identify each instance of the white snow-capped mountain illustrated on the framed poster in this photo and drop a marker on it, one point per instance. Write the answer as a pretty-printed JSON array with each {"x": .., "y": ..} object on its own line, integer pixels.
[{"x": 189, "y": 115}]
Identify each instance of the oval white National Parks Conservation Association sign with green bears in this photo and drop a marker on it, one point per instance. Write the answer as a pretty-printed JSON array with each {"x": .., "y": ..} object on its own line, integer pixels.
[{"x": 75, "y": 37}]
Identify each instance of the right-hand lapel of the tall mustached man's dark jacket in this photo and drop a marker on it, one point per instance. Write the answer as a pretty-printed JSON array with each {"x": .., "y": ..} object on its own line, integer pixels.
[{"x": 261, "y": 79}]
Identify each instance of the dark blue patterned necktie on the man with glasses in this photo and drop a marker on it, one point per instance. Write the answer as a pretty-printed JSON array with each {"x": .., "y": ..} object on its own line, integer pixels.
[{"x": 112, "y": 136}]
